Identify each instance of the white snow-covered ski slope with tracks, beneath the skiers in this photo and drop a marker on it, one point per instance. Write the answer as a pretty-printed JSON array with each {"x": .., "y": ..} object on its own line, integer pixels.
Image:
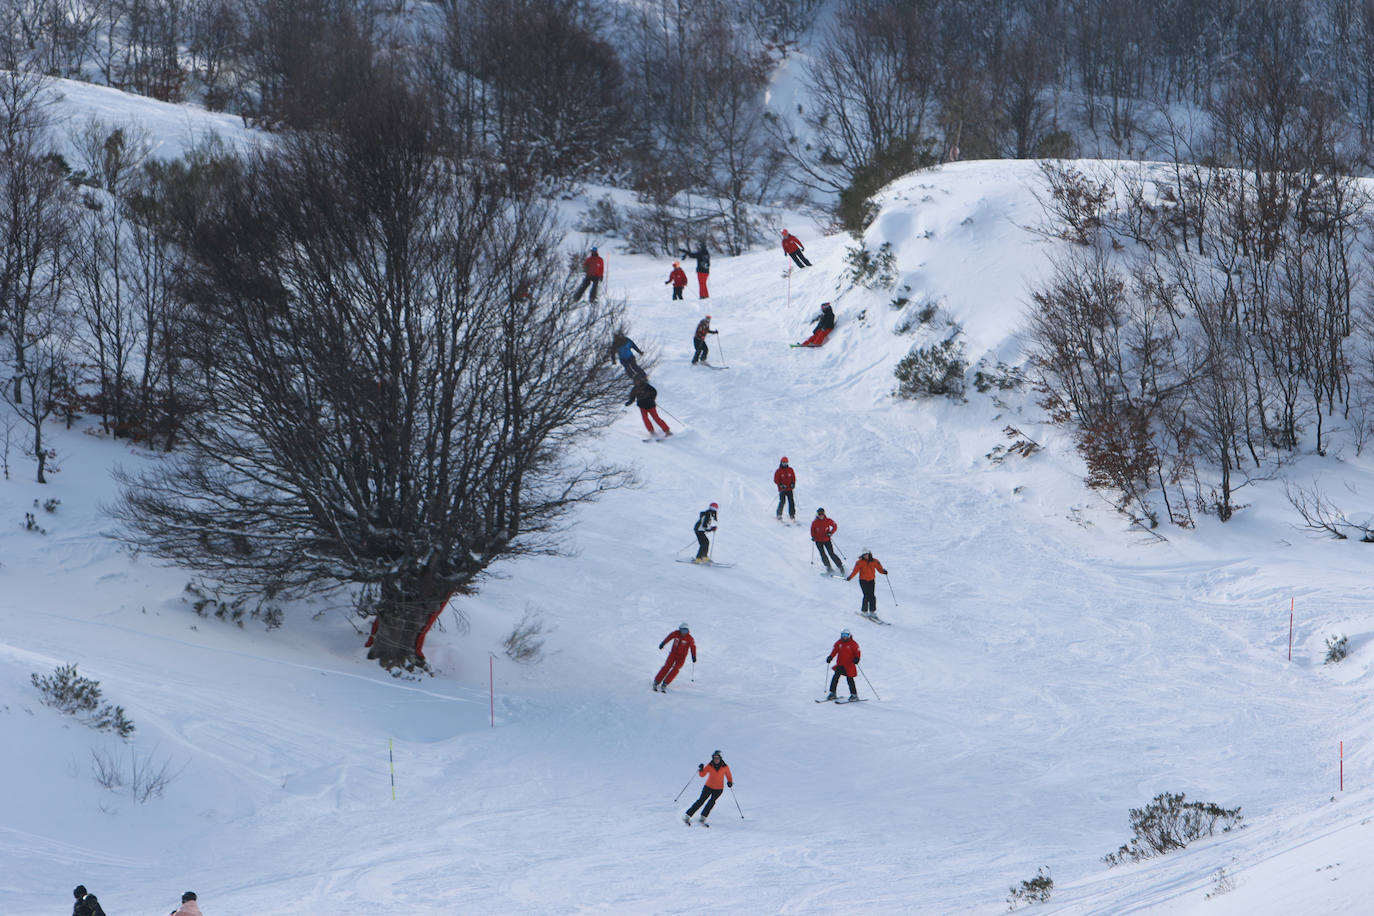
[{"x": 1048, "y": 667}]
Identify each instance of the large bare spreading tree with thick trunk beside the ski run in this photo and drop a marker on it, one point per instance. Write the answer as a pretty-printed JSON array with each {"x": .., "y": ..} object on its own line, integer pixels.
[{"x": 403, "y": 389}]
